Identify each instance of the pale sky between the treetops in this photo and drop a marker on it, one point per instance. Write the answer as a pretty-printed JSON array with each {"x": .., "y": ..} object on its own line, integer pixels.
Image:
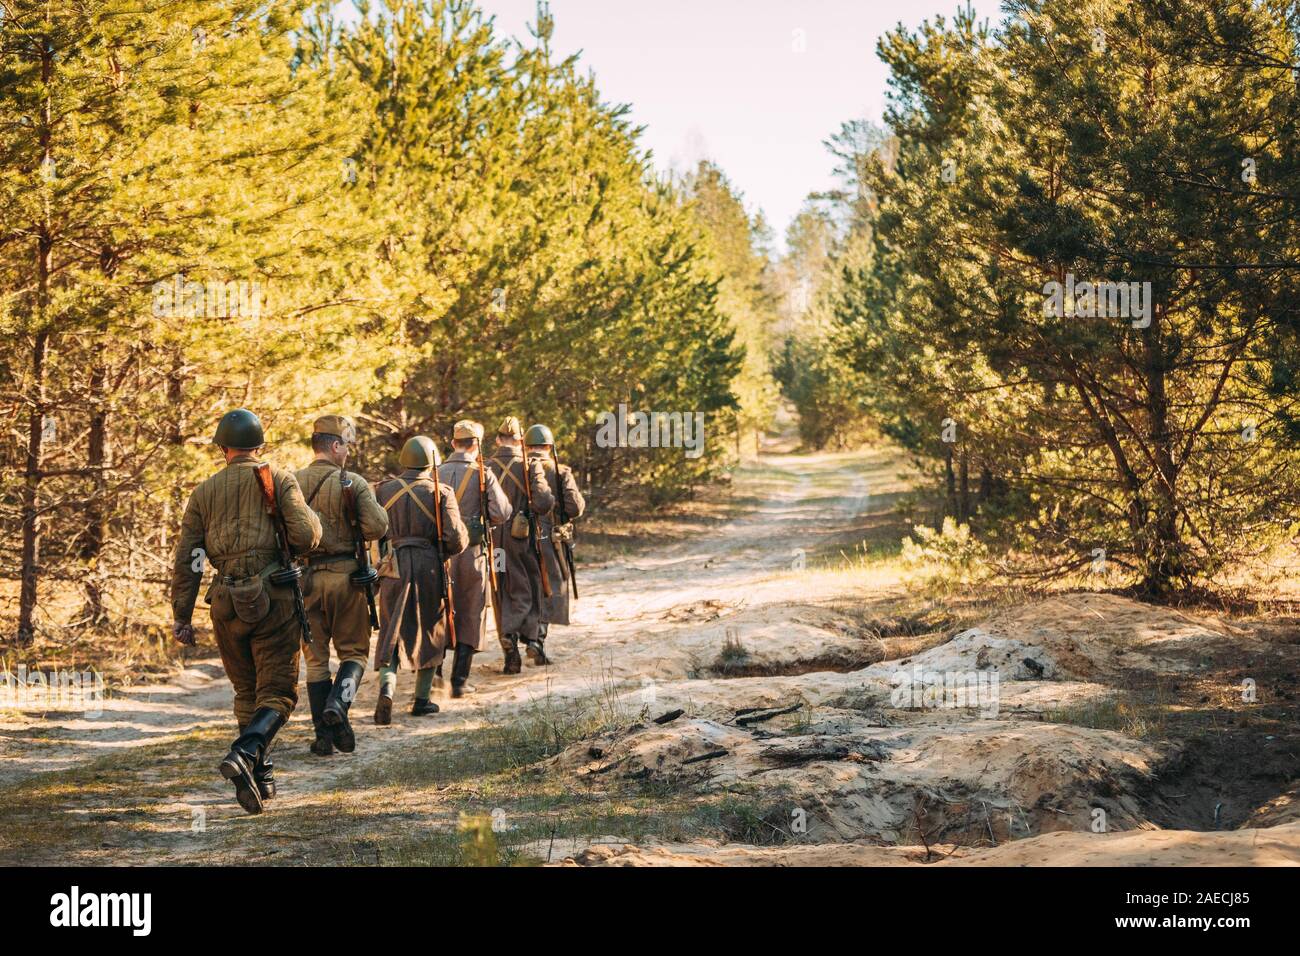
[{"x": 753, "y": 85}]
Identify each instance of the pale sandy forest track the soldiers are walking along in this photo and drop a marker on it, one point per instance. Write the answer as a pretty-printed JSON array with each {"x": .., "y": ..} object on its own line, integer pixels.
[{"x": 644, "y": 621}]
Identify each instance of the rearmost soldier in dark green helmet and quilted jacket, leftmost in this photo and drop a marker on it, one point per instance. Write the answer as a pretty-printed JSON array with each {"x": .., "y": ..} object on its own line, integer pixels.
[{"x": 255, "y": 622}]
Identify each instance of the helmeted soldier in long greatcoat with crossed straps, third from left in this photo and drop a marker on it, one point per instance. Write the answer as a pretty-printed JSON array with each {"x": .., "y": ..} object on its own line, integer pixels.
[{"x": 411, "y": 577}]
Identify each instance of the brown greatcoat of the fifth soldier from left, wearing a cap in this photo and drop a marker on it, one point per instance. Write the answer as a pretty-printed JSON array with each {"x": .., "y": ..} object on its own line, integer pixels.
[{"x": 521, "y": 586}]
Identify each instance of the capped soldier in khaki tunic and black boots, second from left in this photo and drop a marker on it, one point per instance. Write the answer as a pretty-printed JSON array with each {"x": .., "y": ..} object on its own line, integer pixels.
[{"x": 337, "y": 604}]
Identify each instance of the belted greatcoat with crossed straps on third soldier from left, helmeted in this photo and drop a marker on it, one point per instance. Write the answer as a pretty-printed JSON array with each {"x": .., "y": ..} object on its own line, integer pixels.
[{"x": 411, "y": 604}]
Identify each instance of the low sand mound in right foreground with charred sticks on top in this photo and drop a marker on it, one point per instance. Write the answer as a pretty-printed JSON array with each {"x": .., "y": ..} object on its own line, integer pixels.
[{"x": 847, "y": 777}]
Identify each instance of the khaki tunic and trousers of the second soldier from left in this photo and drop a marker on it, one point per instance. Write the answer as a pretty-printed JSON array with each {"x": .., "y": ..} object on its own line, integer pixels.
[{"x": 336, "y": 609}]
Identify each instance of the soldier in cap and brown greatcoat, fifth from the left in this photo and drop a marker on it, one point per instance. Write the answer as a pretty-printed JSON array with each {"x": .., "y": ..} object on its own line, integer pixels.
[{"x": 521, "y": 589}]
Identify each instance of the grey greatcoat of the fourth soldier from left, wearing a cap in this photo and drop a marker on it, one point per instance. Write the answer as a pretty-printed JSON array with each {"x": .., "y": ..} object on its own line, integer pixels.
[{"x": 470, "y": 579}]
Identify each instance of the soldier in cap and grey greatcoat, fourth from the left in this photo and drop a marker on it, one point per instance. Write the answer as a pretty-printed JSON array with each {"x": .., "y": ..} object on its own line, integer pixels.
[{"x": 470, "y": 572}]
